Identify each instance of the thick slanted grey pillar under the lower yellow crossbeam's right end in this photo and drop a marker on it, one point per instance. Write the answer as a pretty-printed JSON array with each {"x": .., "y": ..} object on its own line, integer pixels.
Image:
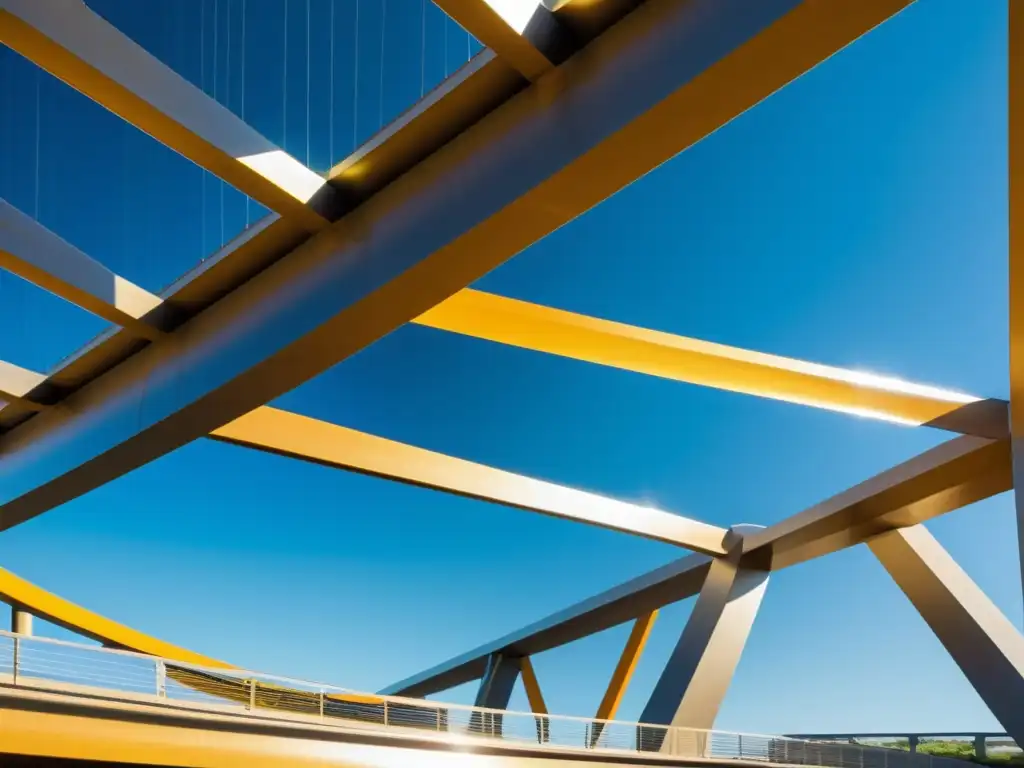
[{"x": 698, "y": 675}]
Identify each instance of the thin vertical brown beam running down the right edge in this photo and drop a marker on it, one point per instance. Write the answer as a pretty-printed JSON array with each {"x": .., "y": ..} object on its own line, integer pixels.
[{"x": 1015, "y": 136}]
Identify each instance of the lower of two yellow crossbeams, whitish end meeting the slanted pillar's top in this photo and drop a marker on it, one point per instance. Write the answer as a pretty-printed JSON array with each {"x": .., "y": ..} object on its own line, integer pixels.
[{"x": 302, "y": 438}]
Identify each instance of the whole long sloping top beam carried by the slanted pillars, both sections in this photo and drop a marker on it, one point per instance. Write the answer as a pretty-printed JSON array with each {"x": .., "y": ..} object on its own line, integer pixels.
[{"x": 955, "y": 475}]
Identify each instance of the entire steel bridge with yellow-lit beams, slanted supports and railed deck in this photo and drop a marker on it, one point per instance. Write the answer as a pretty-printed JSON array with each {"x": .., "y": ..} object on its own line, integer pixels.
[{"x": 567, "y": 104}]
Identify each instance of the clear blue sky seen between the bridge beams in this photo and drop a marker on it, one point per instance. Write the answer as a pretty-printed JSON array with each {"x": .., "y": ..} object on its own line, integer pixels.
[{"x": 858, "y": 219}]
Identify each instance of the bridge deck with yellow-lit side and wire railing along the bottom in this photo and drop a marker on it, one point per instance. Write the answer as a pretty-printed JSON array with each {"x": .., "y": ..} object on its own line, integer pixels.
[{"x": 96, "y": 698}]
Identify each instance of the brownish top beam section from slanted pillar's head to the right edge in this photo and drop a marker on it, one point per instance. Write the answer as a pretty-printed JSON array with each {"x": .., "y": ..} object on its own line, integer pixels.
[{"x": 950, "y": 477}]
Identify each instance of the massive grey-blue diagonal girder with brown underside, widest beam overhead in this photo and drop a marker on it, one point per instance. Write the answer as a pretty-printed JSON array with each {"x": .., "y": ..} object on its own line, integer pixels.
[{"x": 654, "y": 84}]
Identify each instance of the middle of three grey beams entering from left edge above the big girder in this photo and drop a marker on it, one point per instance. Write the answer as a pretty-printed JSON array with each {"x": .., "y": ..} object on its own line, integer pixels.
[{"x": 31, "y": 251}]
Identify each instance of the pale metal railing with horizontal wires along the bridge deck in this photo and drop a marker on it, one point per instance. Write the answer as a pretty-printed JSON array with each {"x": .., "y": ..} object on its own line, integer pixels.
[{"x": 53, "y": 665}]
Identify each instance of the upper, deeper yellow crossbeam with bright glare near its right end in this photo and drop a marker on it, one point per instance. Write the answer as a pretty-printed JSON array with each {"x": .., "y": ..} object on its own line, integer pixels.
[{"x": 604, "y": 343}]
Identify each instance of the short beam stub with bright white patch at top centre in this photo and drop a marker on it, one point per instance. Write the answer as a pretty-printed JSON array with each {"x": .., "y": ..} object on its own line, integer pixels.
[{"x": 521, "y": 32}]
